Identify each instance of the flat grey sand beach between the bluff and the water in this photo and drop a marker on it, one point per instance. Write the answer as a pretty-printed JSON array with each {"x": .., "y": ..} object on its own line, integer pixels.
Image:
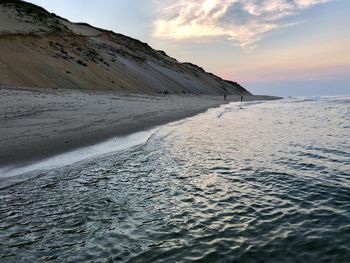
[{"x": 37, "y": 124}]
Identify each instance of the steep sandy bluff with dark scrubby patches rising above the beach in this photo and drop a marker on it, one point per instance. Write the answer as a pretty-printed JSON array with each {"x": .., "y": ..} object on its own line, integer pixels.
[{"x": 40, "y": 49}]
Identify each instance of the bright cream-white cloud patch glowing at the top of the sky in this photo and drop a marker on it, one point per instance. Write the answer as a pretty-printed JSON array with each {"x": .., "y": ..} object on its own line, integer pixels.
[{"x": 244, "y": 22}]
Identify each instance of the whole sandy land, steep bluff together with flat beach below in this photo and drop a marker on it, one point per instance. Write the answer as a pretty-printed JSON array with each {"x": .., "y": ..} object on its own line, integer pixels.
[{"x": 63, "y": 60}]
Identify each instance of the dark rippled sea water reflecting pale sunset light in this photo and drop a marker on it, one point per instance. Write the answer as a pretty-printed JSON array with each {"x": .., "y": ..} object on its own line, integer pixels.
[{"x": 251, "y": 182}]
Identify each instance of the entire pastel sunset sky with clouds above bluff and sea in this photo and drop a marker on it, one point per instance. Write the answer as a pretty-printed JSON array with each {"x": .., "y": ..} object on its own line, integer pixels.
[{"x": 275, "y": 47}]
